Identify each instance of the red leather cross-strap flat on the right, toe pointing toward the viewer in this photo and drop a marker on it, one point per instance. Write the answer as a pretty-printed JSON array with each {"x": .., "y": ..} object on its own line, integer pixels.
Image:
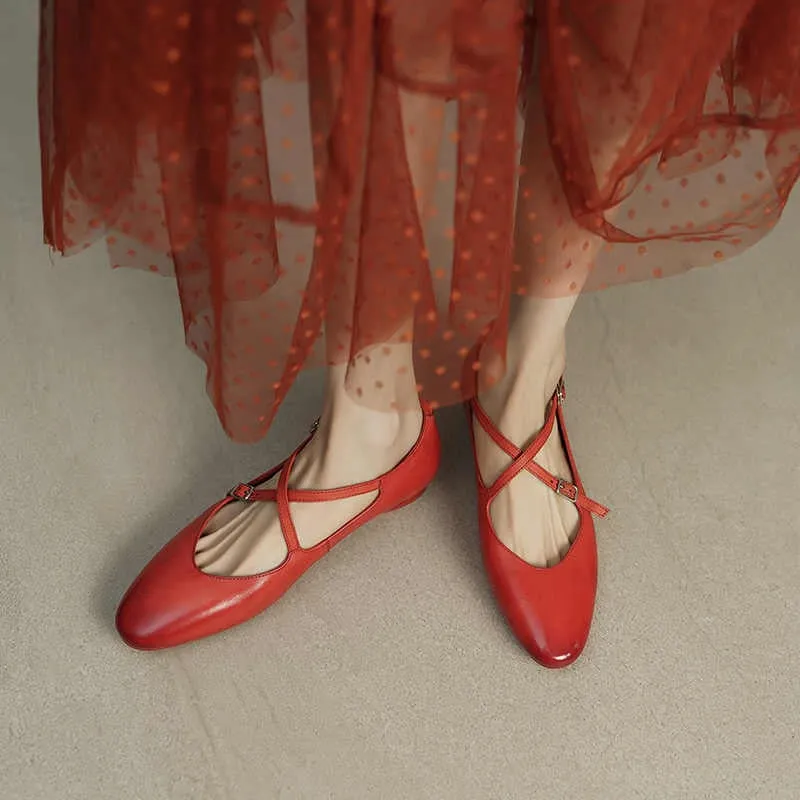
[{"x": 549, "y": 608}]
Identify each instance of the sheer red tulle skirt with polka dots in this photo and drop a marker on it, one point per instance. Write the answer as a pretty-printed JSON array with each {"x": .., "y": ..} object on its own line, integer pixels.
[{"x": 329, "y": 180}]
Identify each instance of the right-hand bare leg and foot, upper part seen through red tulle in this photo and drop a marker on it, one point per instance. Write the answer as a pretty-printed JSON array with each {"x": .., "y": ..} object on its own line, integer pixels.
[{"x": 556, "y": 254}]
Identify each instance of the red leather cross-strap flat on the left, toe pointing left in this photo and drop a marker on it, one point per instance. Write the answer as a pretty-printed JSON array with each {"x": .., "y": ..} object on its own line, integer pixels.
[{"x": 173, "y": 601}]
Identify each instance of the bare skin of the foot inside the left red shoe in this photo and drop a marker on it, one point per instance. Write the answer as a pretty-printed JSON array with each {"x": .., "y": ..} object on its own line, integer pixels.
[{"x": 352, "y": 444}]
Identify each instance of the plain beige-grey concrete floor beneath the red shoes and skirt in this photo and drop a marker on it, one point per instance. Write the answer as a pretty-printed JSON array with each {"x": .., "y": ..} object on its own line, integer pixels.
[{"x": 387, "y": 672}]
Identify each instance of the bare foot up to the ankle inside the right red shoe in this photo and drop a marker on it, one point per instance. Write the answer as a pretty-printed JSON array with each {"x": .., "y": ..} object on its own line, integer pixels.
[{"x": 529, "y": 518}]
